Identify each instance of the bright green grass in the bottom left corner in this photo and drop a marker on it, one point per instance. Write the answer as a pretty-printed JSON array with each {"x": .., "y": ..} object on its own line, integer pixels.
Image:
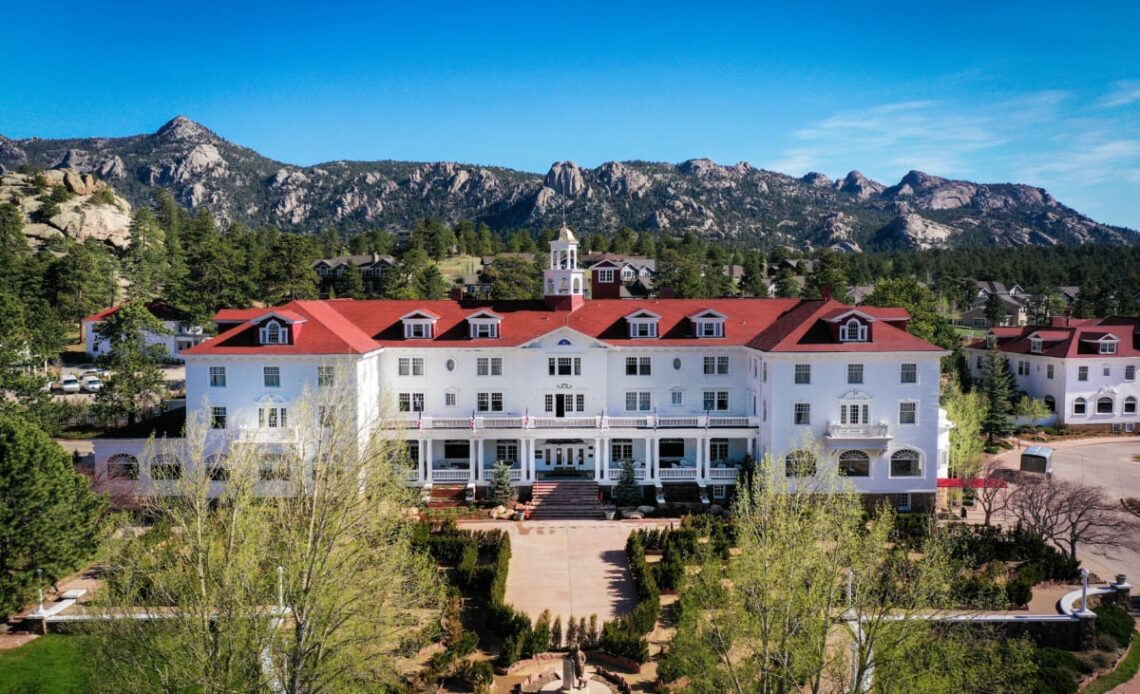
[{"x": 50, "y": 665}]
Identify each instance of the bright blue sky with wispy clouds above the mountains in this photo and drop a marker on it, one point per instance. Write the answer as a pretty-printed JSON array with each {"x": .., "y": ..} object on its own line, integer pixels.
[{"x": 1040, "y": 93}]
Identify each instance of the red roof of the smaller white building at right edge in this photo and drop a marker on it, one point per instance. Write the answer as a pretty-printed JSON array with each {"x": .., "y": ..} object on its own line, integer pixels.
[{"x": 1078, "y": 340}]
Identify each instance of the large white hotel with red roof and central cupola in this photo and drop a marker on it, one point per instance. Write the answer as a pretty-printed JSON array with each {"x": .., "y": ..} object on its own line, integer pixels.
[{"x": 687, "y": 389}]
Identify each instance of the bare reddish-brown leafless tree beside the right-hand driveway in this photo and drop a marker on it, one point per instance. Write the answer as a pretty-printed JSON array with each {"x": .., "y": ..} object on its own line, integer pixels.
[{"x": 1069, "y": 515}]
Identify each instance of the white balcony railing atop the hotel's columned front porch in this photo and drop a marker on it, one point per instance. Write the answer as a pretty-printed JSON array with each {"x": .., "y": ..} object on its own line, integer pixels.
[{"x": 596, "y": 422}]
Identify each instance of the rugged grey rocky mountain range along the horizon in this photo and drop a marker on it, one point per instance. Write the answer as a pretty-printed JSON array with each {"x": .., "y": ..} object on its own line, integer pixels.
[{"x": 735, "y": 202}]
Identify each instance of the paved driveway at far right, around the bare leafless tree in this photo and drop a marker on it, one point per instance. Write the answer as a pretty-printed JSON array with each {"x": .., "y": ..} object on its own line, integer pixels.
[{"x": 1110, "y": 467}]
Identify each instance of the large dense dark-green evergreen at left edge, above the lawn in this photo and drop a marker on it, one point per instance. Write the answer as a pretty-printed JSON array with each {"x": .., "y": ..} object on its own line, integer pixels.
[{"x": 51, "y": 521}]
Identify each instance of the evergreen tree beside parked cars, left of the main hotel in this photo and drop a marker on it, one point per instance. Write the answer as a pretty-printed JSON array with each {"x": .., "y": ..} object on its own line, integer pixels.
[{"x": 136, "y": 379}]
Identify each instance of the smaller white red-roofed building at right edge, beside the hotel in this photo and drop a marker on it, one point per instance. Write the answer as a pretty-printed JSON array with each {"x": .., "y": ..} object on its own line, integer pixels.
[{"x": 1085, "y": 370}]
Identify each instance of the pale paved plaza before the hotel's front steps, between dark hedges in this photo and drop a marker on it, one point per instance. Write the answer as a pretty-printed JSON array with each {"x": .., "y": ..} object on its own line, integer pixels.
[{"x": 571, "y": 568}]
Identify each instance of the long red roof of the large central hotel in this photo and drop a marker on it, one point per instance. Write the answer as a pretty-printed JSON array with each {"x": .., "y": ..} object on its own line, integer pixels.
[{"x": 331, "y": 328}]
